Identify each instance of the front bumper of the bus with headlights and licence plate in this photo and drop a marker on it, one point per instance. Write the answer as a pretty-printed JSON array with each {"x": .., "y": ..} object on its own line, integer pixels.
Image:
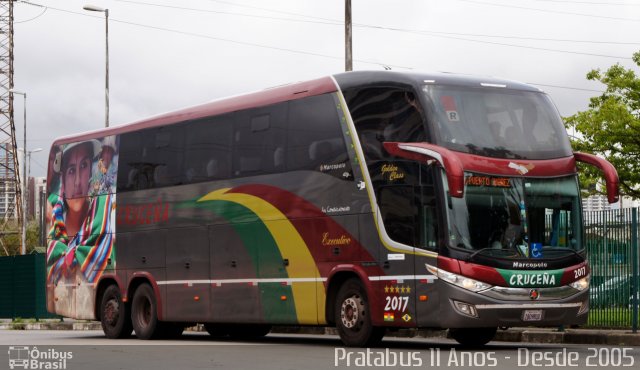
[{"x": 461, "y": 308}]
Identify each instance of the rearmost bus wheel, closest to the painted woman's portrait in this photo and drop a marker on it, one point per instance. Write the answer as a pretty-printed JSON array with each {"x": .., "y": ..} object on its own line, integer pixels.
[{"x": 114, "y": 314}]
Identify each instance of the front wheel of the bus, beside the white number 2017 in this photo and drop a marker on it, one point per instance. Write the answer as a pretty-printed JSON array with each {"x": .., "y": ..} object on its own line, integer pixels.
[{"x": 353, "y": 319}]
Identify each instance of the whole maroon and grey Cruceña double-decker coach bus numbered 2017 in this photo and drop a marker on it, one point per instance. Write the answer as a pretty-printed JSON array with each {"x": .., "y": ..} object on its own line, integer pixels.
[{"x": 365, "y": 200}]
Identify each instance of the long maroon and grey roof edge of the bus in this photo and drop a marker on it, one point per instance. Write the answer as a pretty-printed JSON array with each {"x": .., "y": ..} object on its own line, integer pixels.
[{"x": 296, "y": 91}]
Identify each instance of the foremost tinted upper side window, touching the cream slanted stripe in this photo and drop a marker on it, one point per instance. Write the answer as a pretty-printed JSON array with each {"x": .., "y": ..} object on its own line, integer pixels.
[{"x": 315, "y": 140}]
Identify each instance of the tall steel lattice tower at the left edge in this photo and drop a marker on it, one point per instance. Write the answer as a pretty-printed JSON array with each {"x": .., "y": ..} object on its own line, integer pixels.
[{"x": 11, "y": 205}]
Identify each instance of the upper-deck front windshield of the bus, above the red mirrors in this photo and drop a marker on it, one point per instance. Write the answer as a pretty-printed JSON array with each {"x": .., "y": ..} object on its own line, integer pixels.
[{"x": 497, "y": 122}]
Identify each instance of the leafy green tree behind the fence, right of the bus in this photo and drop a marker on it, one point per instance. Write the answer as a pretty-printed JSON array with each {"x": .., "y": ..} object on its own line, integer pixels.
[{"x": 611, "y": 127}]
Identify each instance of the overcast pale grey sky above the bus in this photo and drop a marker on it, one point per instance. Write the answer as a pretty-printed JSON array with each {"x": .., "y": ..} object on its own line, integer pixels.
[{"x": 166, "y": 55}]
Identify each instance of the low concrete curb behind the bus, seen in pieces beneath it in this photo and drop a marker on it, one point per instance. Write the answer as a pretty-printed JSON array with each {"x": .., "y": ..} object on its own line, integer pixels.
[{"x": 526, "y": 335}]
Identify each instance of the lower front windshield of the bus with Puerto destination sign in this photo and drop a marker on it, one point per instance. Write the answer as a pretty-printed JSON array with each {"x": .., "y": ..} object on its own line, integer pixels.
[{"x": 516, "y": 218}]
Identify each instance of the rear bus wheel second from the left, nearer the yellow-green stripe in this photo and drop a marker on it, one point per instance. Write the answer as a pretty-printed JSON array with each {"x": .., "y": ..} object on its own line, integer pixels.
[{"x": 144, "y": 314}]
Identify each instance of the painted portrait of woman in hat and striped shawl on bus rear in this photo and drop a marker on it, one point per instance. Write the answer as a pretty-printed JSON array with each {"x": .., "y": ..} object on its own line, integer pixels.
[{"x": 81, "y": 227}]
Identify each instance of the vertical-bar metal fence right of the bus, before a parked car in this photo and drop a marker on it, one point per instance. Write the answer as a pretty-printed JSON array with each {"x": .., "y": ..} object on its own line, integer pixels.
[{"x": 612, "y": 247}]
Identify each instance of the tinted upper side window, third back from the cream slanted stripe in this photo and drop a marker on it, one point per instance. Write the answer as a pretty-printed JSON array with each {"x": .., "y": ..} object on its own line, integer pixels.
[{"x": 208, "y": 149}]
